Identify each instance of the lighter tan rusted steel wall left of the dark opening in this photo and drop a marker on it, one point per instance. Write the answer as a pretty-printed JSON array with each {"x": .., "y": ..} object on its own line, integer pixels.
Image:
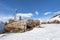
[{"x": 15, "y": 25}]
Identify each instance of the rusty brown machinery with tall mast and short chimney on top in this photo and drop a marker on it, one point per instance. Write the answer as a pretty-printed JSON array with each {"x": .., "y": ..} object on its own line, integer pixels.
[{"x": 20, "y": 25}]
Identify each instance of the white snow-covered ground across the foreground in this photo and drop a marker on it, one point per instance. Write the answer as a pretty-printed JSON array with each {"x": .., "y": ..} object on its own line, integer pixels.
[{"x": 47, "y": 32}]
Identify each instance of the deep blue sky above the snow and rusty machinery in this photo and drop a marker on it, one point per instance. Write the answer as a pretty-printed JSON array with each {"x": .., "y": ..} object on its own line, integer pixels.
[{"x": 42, "y": 9}]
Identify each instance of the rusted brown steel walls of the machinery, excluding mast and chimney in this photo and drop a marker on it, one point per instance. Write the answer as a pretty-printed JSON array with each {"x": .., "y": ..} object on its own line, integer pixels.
[{"x": 22, "y": 25}]
